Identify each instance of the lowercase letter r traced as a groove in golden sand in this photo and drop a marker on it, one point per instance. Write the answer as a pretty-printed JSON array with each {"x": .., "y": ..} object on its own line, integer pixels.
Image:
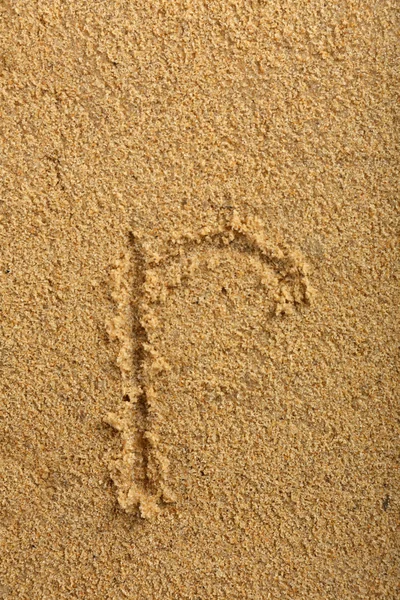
[{"x": 139, "y": 470}]
